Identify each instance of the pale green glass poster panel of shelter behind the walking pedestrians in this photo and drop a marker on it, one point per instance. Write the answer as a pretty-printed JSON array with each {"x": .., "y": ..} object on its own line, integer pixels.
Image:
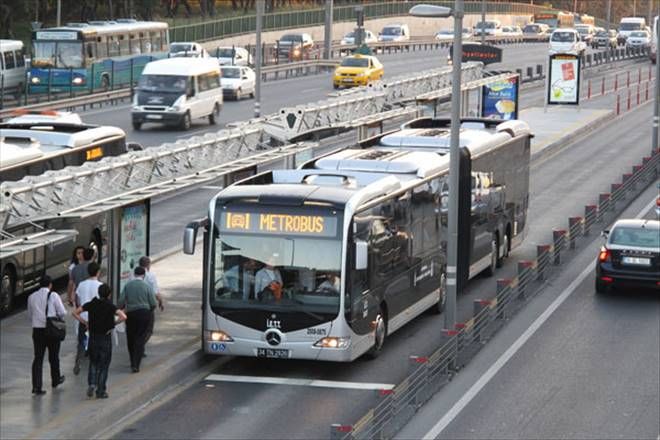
[{"x": 134, "y": 239}]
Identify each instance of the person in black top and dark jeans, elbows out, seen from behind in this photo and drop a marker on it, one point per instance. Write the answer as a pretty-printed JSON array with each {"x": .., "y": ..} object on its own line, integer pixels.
[{"x": 99, "y": 320}]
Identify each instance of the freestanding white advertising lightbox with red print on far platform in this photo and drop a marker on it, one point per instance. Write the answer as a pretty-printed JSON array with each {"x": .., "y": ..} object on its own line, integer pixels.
[{"x": 564, "y": 85}]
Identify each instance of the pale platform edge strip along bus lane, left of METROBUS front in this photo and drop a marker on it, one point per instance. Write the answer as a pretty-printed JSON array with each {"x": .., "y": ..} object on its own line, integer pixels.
[{"x": 89, "y": 418}]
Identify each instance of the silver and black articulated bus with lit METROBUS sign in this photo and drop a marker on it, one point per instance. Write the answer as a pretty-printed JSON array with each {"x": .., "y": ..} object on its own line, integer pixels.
[{"x": 324, "y": 262}]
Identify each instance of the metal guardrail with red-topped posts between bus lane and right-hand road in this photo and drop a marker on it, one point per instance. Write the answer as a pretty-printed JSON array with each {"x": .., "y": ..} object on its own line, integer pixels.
[{"x": 428, "y": 374}]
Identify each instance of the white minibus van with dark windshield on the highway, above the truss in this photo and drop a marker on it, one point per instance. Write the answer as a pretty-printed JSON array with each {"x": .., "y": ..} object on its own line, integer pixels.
[{"x": 173, "y": 91}]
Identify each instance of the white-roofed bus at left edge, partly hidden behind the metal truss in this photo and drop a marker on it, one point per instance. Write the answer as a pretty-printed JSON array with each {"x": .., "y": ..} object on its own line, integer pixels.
[{"x": 32, "y": 144}]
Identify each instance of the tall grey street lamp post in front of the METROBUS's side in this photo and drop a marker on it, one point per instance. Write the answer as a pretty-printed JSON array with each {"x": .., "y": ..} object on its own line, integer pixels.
[{"x": 452, "y": 214}]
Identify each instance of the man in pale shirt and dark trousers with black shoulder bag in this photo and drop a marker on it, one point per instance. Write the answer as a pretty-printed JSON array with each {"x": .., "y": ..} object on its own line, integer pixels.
[{"x": 41, "y": 304}]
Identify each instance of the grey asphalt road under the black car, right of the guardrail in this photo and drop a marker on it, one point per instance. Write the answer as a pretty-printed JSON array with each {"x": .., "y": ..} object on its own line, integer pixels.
[{"x": 590, "y": 370}]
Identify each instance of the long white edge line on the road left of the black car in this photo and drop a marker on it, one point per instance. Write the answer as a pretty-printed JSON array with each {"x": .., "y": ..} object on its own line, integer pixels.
[{"x": 437, "y": 429}]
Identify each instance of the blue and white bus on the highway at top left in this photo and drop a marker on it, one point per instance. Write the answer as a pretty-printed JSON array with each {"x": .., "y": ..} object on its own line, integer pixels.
[{"x": 95, "y": 55}]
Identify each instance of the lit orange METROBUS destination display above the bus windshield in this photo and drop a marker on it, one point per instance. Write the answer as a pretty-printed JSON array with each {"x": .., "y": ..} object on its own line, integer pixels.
[{"x": 277, "y": 223}]
